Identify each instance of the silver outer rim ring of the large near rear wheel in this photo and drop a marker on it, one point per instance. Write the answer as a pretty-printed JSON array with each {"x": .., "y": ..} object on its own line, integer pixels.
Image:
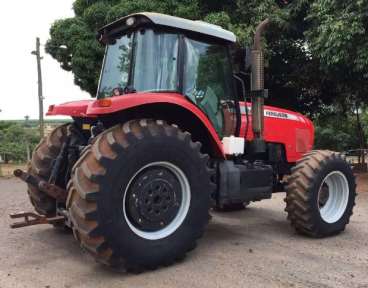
[{"x": 183, "y": 210}]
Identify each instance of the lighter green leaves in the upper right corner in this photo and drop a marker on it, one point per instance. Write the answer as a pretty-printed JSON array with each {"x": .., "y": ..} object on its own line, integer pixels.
[{"x": 338, "y": 34}]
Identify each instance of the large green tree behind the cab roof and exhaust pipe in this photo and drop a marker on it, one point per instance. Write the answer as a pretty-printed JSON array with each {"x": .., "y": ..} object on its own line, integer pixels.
[{"x": 290, "y": 64}]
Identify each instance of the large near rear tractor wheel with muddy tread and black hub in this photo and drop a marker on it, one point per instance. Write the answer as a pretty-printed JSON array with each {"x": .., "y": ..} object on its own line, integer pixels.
[{"x": 140, "y": 195}]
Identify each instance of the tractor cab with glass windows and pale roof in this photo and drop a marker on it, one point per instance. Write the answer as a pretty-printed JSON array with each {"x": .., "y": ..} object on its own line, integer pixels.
[{"x": 151, "y": 52}]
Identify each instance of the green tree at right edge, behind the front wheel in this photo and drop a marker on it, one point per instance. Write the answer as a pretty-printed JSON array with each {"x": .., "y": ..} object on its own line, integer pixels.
[{"x": 338, "y": 37}]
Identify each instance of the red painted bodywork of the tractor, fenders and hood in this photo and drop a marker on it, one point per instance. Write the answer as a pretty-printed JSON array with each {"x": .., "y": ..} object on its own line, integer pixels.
[{"x": 297, "y": 133}]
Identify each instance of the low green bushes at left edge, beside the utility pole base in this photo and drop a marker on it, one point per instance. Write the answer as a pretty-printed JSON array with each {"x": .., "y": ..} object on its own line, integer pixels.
[{"x": 14, "y": 139}]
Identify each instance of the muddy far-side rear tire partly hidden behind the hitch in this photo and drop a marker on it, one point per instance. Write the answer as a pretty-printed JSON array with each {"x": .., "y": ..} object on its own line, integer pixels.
[{"x": 41, "y": 164}]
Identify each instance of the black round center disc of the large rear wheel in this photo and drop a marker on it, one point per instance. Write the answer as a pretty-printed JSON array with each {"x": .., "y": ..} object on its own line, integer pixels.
[{"x": 154, "y": 199}]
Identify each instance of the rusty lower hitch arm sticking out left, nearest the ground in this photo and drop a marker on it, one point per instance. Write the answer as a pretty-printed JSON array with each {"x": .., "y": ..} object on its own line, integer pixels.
[{"x": 31, "y": 219}]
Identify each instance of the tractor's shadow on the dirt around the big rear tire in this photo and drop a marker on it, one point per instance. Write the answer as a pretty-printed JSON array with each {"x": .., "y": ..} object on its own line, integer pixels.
[{"x": 232, "y": 228}]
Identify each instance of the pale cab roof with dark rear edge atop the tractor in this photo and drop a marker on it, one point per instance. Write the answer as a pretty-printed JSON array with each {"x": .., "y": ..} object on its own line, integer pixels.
[{"x": 173, "y": 22}]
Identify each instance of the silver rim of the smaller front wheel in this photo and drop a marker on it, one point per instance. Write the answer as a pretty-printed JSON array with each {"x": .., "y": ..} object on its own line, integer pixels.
[{"x": 333, "y": 196}]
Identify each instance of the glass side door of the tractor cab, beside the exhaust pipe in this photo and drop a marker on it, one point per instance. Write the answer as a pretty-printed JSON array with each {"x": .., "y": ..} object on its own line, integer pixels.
[{"x": 208, "y": 83}]
